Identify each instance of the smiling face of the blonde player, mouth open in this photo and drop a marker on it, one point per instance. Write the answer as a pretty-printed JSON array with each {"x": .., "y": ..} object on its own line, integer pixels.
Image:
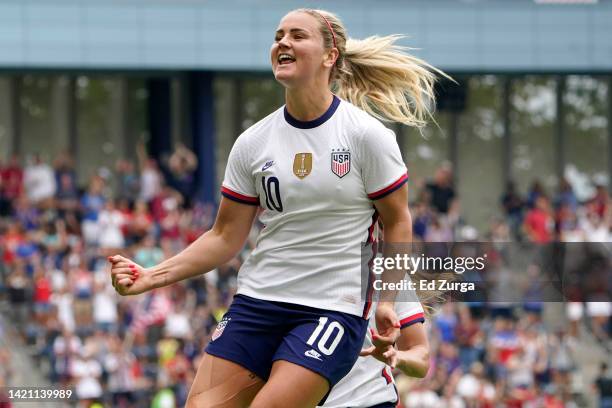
[{"x": 297, "y": 54}]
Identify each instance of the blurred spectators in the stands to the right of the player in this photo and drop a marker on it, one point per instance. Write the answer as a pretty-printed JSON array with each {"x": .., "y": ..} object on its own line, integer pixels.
[{"x": 503, "y": 354}]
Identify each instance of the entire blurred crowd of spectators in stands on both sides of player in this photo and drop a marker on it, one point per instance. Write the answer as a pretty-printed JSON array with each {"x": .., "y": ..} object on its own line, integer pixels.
[{"x": 123, "y": 352}]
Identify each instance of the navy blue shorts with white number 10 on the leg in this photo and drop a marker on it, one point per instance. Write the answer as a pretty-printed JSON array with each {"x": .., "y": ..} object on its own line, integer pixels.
[{"x": 254, "y": 333}]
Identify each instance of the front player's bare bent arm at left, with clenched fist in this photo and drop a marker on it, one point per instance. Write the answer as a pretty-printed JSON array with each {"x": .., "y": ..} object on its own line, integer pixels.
[{"x": 213, "y": 248}]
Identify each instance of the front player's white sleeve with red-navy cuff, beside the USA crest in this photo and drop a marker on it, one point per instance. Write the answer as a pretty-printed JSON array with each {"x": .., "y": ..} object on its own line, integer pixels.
[{"x": 383, "y": 169}]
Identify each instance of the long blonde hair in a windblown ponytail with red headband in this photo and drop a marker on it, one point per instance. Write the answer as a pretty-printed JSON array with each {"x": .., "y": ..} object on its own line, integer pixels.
[{"x": 377, "y": 75}]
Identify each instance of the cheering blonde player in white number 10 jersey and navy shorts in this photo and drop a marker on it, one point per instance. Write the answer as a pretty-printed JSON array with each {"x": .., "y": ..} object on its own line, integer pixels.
[{"x": 323, "y": 169}]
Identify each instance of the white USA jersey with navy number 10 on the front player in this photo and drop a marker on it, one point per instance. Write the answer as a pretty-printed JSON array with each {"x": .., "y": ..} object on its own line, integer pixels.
[{"x": 316, "y": 182}]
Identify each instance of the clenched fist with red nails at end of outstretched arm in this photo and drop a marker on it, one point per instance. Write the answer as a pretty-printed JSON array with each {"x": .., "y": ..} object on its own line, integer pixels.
[{"x": 128, "y": 277}]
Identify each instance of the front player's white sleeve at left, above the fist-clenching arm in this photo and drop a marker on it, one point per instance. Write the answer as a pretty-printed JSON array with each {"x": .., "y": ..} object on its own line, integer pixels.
[{"x": 238, "y": 184}]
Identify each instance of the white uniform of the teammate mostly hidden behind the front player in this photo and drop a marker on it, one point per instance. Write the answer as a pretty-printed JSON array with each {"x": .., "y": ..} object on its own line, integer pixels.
[{"x": 370, "y": 381}]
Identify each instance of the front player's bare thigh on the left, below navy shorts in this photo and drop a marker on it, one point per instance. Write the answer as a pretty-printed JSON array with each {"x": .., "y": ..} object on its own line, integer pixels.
[{"x": 220, "y": 383}]
